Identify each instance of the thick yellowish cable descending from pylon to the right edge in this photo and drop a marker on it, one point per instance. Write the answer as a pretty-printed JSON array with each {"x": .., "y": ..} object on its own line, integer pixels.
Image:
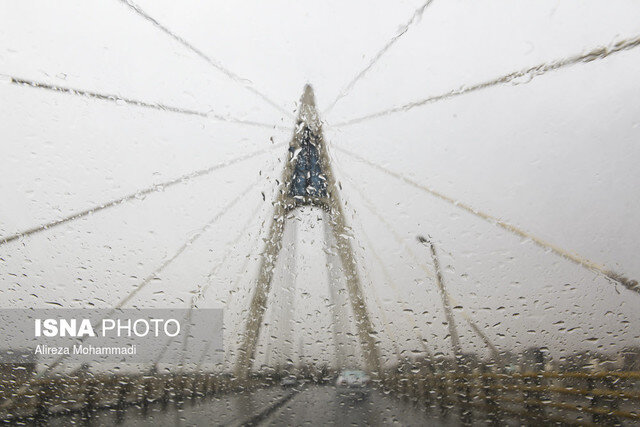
[{"x": 577, "y": 259}]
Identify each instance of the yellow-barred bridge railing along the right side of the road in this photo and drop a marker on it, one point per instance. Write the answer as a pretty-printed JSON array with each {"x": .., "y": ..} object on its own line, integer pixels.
[{"x": 566, "y": 397}]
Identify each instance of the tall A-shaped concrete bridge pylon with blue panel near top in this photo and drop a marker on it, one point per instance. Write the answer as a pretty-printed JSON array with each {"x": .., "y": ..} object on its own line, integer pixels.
[{"x": 307, "y": 180}]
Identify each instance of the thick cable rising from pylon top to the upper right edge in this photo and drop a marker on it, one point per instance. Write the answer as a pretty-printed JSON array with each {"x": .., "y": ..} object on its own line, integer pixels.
[{"x": 516, "y": 76}]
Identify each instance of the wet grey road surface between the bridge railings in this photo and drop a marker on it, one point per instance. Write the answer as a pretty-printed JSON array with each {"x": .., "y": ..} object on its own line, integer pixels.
[{"x": 308, "y": 405}]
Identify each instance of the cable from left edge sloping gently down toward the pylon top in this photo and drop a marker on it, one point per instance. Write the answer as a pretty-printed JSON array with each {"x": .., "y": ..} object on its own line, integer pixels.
[{"x": 134, "y": 102}]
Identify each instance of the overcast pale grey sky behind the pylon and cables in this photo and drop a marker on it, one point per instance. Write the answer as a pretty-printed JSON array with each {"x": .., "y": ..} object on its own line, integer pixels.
[{"x": 557, "y": 156}]
